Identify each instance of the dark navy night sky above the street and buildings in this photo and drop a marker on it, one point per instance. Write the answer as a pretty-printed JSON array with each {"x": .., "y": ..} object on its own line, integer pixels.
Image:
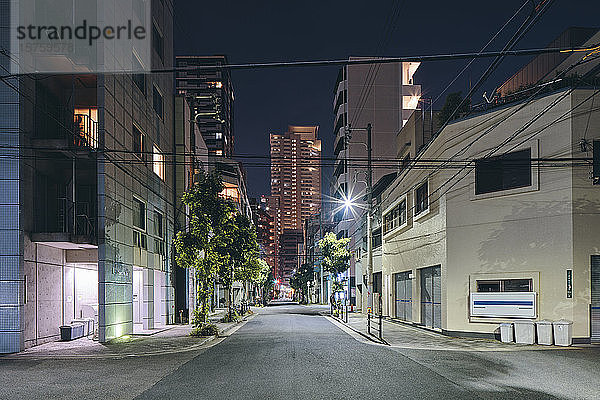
[{"x": 259, "y": 31}]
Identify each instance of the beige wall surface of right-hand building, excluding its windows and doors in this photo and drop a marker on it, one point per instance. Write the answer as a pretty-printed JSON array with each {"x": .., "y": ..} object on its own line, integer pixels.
[{"x": 537, "y": 232}]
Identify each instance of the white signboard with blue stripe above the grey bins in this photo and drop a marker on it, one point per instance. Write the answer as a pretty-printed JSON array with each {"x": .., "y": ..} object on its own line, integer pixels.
[{"x": 504, "y": 304}]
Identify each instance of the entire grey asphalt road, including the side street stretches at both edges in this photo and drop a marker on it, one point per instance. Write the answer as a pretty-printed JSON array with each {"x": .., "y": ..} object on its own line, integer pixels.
[{"x": 291, "y": 352}]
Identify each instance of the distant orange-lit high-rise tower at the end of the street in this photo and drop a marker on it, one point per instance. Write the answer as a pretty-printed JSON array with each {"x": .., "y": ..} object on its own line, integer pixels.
[{"x": 295, "y": 190}]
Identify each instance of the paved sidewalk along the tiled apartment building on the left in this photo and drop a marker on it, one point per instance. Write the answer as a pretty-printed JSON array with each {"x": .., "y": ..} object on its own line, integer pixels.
[{"x": 165, "y": 340}]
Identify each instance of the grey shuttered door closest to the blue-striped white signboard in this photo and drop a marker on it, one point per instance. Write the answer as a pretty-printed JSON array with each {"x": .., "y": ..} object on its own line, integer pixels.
[{"x": 431, "y": 297}]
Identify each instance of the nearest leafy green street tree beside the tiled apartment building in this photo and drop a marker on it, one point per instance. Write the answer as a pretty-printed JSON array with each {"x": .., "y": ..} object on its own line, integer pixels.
[{"x": 195, "y": 247}]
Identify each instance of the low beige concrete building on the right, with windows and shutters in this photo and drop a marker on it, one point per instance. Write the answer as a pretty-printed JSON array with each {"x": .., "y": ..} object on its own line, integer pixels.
[{"x": 508, "y": 236}]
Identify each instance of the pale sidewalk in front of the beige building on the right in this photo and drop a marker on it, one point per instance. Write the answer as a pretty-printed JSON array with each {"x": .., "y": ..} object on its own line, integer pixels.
[{"x": 401, "y": 335}]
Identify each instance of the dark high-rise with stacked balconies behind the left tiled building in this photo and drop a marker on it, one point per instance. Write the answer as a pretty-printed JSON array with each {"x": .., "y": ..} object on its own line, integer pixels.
[{"x": 210, "y": 94}]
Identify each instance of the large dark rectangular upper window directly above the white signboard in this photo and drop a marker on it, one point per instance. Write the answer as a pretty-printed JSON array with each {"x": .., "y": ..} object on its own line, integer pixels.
[{"x": 508, "y": 171}]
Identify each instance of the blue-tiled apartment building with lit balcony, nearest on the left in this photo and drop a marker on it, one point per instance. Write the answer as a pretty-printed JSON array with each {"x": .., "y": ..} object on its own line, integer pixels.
[{"x": 86, "y": 204}]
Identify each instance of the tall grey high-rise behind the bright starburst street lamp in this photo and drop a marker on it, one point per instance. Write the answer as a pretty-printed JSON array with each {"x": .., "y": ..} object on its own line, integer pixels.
[{"x": 385, "y": 96}]
